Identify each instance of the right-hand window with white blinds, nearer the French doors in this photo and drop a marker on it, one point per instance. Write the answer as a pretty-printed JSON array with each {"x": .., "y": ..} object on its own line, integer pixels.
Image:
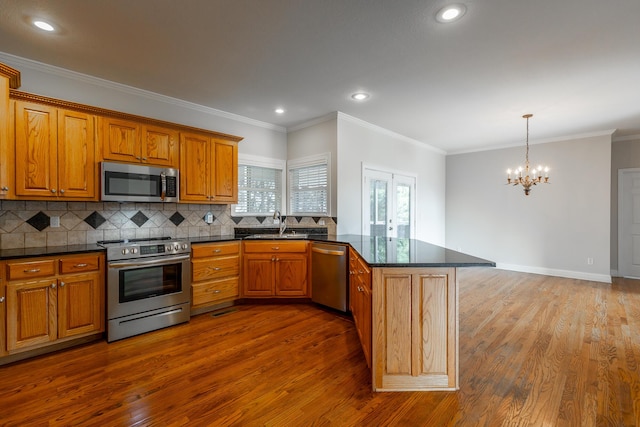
[{"x": 309, "y": 186}]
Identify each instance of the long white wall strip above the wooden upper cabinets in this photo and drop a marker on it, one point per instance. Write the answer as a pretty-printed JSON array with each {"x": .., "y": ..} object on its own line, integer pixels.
[{"x": 260, "y": 138}]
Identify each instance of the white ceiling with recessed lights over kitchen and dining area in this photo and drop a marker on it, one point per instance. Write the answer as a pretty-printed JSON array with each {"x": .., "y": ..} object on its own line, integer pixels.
[{"x": 574, "y": 64}]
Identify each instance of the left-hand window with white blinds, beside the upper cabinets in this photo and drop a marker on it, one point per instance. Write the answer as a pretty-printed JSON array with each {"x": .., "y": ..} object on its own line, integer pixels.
[{"x": 260, "y": 184}]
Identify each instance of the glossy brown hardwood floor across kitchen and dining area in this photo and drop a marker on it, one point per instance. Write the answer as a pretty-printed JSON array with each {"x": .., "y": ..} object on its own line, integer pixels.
[{"x": 535, "y": 351}]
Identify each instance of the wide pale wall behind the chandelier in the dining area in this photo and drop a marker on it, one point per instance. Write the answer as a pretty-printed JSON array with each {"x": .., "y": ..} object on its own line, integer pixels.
[{"x": 554, "y": 229}]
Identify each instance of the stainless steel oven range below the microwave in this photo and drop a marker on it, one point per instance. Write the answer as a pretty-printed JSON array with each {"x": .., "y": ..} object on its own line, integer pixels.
[{"x": 148, "y": 285}]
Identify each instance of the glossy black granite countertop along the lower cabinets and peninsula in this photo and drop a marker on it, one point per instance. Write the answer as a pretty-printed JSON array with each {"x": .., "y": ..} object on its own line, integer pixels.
[{"x": 376, "y": 251}]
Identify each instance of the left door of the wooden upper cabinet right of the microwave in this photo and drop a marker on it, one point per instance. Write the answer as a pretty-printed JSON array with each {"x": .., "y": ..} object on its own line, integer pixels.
[{"x": 195, "y": 176}]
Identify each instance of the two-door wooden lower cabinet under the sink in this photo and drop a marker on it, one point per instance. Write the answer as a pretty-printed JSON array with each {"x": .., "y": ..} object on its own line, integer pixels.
[{"x": 276, "y": 269}]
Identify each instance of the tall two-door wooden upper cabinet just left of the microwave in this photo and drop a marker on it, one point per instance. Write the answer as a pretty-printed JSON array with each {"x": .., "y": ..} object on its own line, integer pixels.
[{"x": 54, "y": 152}]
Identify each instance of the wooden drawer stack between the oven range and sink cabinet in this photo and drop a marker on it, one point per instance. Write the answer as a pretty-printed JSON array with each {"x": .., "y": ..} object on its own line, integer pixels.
[{"x": 215, "y": 269}]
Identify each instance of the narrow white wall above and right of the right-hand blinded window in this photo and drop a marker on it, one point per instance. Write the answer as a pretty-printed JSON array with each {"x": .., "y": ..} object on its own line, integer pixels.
[{"x": 316, "y": 138}]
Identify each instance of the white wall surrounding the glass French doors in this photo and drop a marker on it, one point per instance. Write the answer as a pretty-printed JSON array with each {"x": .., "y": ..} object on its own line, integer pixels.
[{"x": 360, "y": 142}]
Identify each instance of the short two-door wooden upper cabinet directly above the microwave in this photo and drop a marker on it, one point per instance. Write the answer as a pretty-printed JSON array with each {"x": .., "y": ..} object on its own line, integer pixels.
[{"x": 132, "y": 142}]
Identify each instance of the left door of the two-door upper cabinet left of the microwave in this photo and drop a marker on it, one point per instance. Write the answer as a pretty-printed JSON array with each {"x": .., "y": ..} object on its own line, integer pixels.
[{"x": 36, "y": 150}]
